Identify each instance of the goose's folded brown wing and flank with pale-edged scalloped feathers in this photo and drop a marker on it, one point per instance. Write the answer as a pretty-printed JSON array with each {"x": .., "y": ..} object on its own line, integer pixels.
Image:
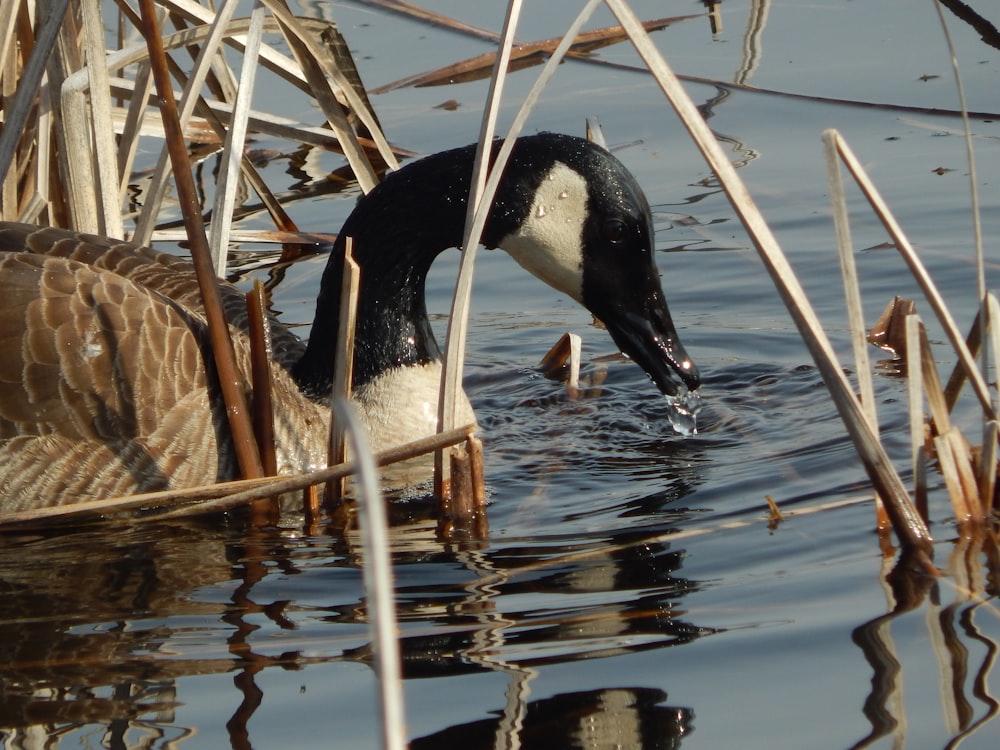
[{"x": 103, "y": 386}]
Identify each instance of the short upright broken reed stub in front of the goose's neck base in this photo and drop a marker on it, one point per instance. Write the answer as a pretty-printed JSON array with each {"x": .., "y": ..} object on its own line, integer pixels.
[{"x": 343, "y": 365}]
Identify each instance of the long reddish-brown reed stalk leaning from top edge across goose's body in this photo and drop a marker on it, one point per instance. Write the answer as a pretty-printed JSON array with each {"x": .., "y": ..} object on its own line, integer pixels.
[{"x": 247, "y": 453}]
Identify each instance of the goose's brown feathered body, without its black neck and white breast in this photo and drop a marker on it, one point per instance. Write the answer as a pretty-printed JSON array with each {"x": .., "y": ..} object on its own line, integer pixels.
[{"x": 107, "y": 385}]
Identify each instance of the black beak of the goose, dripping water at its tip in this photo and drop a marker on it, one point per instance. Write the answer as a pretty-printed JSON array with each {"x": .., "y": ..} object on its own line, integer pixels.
[{"x": 643, "y": 330}]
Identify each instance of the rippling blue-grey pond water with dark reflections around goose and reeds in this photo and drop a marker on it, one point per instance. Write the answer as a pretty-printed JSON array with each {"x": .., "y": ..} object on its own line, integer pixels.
[{"x": 630, "y": 592}]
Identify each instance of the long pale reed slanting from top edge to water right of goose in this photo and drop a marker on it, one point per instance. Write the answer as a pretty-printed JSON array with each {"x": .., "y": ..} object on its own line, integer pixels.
[{"x": 908, "y": 525}]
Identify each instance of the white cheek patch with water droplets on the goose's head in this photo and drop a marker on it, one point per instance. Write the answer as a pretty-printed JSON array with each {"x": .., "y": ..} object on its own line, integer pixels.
[{"x": 549, "y": 244}]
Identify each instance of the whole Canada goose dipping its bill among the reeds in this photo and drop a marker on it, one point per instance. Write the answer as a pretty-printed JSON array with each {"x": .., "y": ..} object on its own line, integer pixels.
[{"x": 104, "y": 387}]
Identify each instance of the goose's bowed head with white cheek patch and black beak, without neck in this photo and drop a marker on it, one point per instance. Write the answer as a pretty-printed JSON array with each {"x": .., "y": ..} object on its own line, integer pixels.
[{"x": 572, "y": 215}]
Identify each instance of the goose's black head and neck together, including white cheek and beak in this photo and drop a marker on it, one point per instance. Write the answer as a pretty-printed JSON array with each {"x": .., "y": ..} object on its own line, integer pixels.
[{"x": 567, "y": 211}]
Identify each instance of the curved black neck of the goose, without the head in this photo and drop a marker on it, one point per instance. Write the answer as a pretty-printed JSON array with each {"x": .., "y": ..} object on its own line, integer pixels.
[{"x": 397, "y": 230}]
